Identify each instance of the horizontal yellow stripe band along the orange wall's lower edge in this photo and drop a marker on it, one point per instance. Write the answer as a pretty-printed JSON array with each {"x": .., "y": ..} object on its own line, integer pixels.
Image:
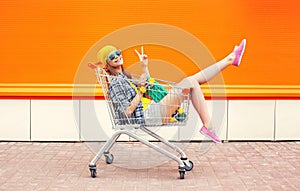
[{"x": 237, "y": 91}]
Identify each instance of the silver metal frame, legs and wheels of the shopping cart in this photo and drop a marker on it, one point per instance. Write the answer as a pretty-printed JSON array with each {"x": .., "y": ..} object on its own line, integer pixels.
[{"x": 184, "y": 164}]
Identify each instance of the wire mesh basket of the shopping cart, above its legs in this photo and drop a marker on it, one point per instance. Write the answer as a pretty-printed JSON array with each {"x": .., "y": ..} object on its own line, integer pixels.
[{"x": 162, "y": 104}]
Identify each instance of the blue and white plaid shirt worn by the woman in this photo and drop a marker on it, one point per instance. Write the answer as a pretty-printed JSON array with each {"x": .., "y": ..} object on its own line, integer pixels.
[{"x": 121, "y": 94}]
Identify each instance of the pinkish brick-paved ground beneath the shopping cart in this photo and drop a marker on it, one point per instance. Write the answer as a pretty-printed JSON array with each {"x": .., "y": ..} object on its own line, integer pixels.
[{"x": 228, "y": 166}]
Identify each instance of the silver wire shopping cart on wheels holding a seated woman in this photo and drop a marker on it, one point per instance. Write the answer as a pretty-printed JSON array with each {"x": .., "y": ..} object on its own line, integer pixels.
[{"x": 164, "y": 104}]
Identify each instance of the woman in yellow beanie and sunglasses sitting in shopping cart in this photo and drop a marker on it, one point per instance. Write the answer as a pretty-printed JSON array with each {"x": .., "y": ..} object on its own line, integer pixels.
[{"x": 121, "y": 91}]
